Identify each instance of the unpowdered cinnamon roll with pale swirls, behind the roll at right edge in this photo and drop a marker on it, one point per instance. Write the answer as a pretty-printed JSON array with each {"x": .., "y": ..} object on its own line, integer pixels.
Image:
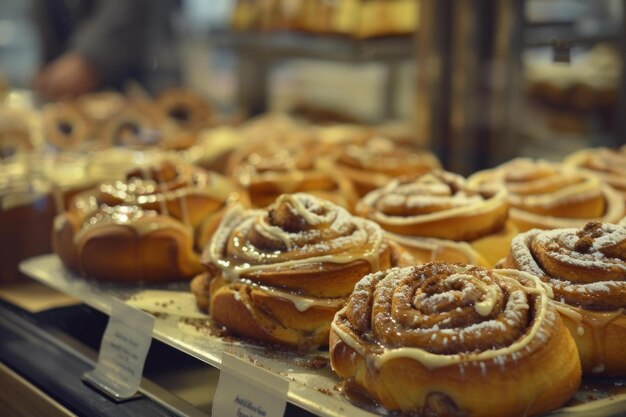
[{"x": 548, "y": 196}]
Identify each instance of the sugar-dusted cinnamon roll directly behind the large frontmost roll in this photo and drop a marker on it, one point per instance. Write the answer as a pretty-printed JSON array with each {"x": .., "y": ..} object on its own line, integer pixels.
[{"x": 437, "y": 216}]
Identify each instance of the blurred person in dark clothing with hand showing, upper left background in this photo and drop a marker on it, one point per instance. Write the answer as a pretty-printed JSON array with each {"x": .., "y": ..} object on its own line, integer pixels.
[{"x": 89, "y": 45}]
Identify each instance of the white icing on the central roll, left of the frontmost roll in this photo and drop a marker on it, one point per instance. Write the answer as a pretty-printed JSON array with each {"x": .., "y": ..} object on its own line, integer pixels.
[{"x": 364, "y": 243}]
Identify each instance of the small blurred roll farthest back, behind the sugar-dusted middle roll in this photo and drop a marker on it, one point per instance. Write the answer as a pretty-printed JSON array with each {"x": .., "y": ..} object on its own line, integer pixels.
[{"x": 373, "y": 164}]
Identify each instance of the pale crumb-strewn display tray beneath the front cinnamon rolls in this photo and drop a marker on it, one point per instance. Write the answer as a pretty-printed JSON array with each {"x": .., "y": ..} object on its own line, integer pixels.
[{"x": 312, "y": 387}]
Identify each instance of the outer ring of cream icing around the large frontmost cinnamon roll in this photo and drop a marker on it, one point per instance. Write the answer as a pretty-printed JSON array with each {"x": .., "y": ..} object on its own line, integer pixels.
[{"x": 536, "y": 332}]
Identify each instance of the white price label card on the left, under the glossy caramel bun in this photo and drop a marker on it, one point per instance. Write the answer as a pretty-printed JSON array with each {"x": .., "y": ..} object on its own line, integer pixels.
[{"x": 123, "y": 352}]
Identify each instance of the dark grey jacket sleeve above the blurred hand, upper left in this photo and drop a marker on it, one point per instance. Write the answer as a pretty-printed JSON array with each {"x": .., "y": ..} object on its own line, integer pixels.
[{"x": 114, "y": 37}]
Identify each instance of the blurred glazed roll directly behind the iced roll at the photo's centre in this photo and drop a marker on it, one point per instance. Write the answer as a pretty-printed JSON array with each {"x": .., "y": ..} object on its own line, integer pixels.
[{"x": 268, "y": 169}]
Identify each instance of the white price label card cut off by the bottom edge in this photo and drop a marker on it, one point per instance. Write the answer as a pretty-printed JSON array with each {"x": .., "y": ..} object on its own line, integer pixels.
[{"x": 245, "y": 390}]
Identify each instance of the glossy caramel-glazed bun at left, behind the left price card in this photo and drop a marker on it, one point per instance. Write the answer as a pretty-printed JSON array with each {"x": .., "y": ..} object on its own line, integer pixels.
[{"x": 143, "y": 228}]
